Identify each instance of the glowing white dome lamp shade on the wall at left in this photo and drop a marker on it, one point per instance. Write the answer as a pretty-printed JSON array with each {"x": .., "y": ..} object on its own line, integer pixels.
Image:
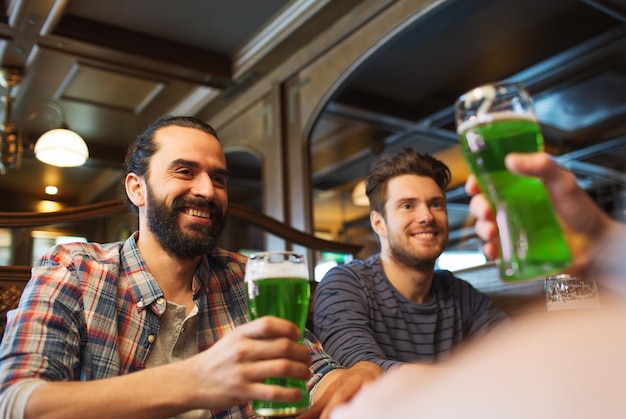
[{"x": 61, "y": 147}]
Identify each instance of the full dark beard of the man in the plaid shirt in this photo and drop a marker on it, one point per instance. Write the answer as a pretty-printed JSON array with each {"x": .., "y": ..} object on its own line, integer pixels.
[{"x": 165, "y": 225}]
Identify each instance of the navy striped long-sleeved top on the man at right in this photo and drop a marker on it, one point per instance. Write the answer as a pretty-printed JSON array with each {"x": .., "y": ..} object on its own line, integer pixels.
[{"x": 359, "y": 315}]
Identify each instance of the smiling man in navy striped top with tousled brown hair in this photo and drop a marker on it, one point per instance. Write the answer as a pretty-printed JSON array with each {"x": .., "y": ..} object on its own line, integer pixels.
[{"x": 395, "y": 307}]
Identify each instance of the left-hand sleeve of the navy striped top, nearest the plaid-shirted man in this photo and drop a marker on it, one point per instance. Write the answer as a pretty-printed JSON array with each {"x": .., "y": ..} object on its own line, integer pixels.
[{"x": 342, "y": 320}]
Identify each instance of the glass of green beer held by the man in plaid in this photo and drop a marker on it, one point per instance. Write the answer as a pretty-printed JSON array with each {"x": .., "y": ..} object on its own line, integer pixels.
[{"x": 278, "y": 285}]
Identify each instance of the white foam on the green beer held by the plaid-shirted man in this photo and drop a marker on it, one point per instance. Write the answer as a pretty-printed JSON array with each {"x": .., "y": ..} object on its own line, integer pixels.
[{"x": 276, "y": 265}]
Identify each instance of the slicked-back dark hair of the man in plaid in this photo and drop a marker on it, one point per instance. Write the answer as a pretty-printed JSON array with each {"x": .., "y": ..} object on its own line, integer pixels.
[{"x": 144, "y": 146}]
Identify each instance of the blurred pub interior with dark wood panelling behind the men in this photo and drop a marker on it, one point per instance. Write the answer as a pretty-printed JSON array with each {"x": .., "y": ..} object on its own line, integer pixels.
[{"x": 305, "y": 94}]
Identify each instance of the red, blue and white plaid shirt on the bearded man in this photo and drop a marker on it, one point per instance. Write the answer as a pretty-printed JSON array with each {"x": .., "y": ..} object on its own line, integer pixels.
[{"x": 89, "y": 312}]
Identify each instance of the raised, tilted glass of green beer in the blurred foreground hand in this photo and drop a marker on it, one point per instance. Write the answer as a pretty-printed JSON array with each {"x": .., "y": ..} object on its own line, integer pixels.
[{"x": 492, "y": 121}]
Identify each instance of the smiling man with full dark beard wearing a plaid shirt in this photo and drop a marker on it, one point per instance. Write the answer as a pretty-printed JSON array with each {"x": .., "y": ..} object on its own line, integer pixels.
[{"x": 156, "y": 326}]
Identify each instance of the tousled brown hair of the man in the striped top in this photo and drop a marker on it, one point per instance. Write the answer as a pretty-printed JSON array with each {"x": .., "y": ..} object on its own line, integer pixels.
[{"x": 405, "y": 162}]
